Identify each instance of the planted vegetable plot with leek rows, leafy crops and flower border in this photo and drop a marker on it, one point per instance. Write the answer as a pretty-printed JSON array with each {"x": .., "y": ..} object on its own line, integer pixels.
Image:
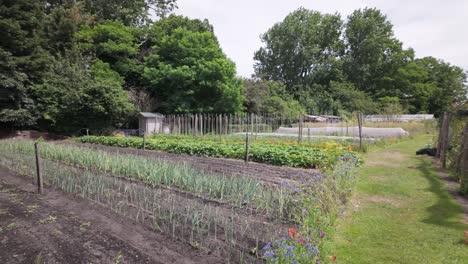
[{"x": 239, "y": 217}]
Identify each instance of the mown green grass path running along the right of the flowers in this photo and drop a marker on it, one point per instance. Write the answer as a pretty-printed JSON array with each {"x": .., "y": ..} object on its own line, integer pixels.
[{"x": 401, "y": 212}]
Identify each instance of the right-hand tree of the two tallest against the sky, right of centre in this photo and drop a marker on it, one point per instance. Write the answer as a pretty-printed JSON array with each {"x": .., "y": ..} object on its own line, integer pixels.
[{"x": 373, "y": 54}]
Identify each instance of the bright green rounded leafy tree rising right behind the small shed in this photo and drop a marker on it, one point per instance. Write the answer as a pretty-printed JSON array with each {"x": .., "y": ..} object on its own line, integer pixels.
[{"x": 188, "y": 72}]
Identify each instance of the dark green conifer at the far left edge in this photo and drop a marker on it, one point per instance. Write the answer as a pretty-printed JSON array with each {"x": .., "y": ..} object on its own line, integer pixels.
[{"x": 22, "y": 59}]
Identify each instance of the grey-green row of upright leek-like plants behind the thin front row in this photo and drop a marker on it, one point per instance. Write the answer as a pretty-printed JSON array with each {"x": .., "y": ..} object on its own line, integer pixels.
[{"x": 236, "y": 190}]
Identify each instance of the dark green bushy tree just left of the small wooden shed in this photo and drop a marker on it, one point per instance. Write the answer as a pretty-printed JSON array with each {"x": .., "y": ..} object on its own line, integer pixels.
[{"x": 71, "y": 97}]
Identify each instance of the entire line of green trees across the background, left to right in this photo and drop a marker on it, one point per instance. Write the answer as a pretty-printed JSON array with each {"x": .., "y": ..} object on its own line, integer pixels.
[{"x": 70, "y": 64}]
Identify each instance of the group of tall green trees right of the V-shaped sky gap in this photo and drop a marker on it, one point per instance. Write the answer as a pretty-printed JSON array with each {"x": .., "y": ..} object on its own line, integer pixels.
[{"x": 331, "y": 65}]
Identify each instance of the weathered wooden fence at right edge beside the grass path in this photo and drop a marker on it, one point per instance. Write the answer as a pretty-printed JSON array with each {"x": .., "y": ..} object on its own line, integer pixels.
[{"x": 452, "y": 145}]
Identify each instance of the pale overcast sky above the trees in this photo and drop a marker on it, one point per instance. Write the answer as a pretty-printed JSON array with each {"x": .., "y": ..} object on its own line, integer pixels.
[{"x": 435, "y": 28}]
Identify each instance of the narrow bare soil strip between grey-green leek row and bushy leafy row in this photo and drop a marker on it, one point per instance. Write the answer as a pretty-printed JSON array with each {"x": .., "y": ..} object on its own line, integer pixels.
[{"x": 230, "y": 167}]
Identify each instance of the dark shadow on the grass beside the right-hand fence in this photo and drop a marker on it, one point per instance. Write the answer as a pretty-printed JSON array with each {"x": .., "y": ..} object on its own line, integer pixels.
[{"x": 446, "y": 211}]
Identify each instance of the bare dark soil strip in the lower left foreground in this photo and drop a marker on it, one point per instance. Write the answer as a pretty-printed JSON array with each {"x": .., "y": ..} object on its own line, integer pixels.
[{"x": 59, "y": 228}]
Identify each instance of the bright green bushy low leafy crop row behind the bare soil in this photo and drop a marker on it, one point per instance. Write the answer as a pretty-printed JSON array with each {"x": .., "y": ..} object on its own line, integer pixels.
[{"x": 275, "y": 154}]
